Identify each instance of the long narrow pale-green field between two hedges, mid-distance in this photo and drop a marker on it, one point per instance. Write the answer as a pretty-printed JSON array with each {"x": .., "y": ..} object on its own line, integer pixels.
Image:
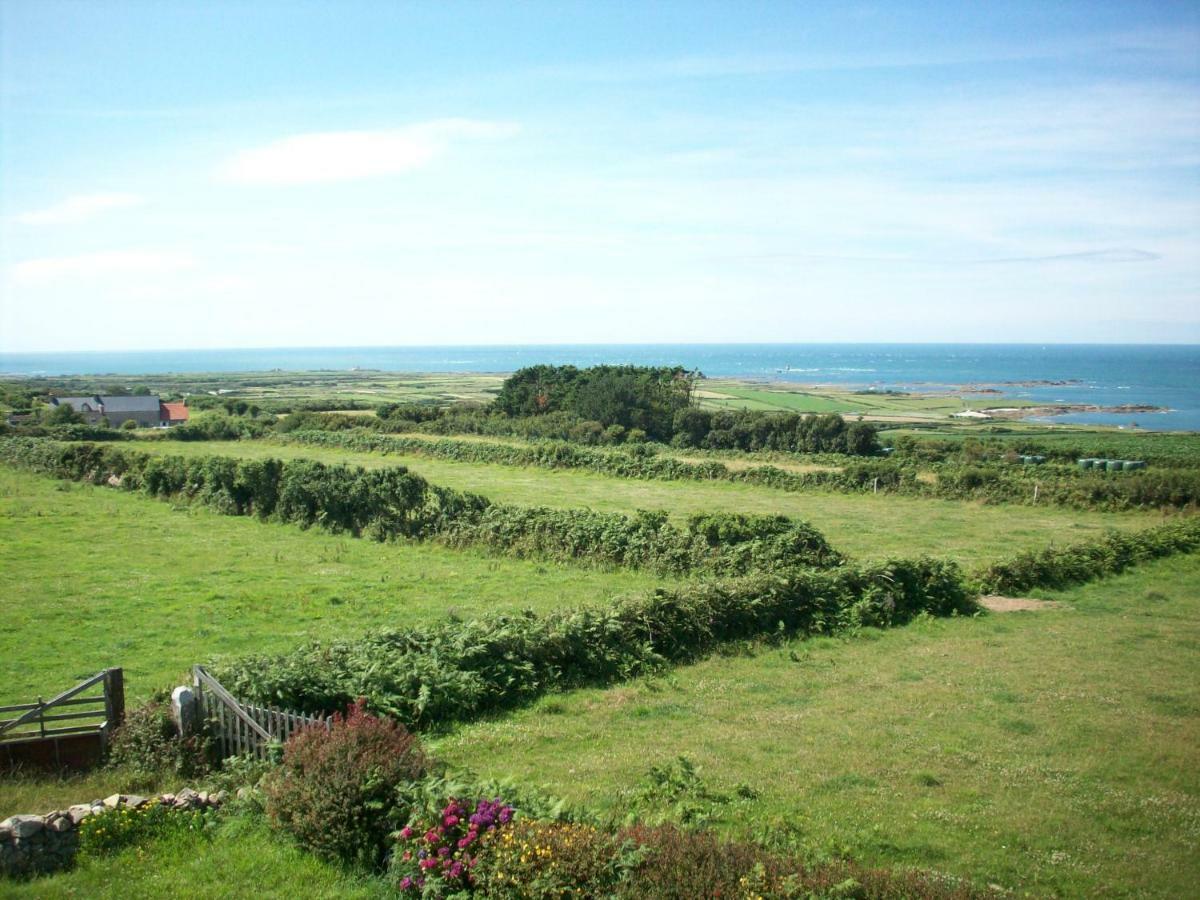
[{"x": 863, "y": 525}]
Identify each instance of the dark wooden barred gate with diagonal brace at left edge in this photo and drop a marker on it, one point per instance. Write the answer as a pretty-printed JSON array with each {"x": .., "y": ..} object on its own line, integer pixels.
[{"x": 68, "y": 731}]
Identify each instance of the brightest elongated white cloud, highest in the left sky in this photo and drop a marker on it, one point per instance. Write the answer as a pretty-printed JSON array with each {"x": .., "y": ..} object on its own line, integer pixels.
[{"x": 346, "y": 155}]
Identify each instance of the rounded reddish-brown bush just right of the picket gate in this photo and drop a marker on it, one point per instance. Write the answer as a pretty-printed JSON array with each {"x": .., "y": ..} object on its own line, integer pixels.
[{"x": 335, "y": 791}]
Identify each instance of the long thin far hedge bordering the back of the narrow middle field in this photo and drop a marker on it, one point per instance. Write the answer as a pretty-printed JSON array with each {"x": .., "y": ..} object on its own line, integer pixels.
[{"x": 1148, "y": 489}]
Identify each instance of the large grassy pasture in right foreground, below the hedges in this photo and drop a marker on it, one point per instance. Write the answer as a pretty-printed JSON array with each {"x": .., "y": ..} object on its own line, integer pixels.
[{"x": 1054, "y": 753}]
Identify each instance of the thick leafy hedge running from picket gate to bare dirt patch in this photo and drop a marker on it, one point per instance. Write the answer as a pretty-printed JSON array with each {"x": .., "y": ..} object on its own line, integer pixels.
[{"x": 430, "y": 677}]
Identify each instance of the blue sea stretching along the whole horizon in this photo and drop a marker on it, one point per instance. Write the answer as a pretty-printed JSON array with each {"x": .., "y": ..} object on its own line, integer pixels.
[{"x": 1103, "y": 375}]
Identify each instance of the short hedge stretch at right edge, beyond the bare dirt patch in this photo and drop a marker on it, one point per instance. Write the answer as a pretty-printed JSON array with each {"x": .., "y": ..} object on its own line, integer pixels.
[{"x": 1078, "y": 563}]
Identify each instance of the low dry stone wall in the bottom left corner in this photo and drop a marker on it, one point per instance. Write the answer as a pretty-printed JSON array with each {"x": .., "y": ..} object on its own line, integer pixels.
[{"x": 33, "y": 845}]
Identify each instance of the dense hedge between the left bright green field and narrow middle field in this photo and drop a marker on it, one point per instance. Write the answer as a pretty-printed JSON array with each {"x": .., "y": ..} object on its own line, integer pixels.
[{"x": 395, "y": 503}]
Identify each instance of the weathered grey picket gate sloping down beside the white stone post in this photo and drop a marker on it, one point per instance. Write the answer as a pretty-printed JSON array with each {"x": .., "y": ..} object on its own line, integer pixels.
[{"x": 242, "y": 729}]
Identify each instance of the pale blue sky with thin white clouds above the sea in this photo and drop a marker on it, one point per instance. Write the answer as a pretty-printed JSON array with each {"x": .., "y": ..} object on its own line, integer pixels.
[{"x": 178, "y": 176}]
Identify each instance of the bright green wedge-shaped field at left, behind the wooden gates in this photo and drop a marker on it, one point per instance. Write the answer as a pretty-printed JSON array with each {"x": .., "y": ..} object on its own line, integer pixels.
[{"x": 98, "y": 578}]
